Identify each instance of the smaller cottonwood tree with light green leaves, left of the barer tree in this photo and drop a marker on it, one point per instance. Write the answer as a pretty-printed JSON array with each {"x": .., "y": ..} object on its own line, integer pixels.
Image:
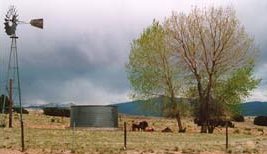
[{"x": 152, "y": 71}]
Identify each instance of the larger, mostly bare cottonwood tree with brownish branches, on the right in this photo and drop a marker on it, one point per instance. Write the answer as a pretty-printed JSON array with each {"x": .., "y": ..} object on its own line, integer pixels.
[{"x": 213, "y": 47}]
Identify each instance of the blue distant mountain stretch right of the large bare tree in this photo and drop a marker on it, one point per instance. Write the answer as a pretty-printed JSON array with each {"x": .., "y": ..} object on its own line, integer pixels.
[{"x": 254, "y": 108}]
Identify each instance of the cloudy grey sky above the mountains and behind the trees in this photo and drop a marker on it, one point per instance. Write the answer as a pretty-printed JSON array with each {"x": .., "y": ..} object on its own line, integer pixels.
[{"x": 81, "y": 53}]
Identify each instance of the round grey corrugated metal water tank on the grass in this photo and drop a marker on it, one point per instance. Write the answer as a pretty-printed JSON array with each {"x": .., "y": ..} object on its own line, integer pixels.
[{"x": 94, "y": 116}]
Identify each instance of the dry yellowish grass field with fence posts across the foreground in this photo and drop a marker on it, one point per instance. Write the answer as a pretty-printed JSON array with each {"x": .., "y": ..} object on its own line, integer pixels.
[{"x": 44, "y": 136}]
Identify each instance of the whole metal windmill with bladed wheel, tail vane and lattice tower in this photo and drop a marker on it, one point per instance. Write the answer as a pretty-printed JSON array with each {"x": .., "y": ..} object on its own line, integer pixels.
[{"x": 13, "y": 80}]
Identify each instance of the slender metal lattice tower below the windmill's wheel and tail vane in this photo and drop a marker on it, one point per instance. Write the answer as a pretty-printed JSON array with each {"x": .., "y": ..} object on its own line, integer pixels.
[{"x": 14, "y": 82}]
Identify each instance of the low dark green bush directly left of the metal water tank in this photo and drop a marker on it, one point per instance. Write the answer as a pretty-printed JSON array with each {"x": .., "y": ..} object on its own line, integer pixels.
[{"x": 55, "y": 111}]
